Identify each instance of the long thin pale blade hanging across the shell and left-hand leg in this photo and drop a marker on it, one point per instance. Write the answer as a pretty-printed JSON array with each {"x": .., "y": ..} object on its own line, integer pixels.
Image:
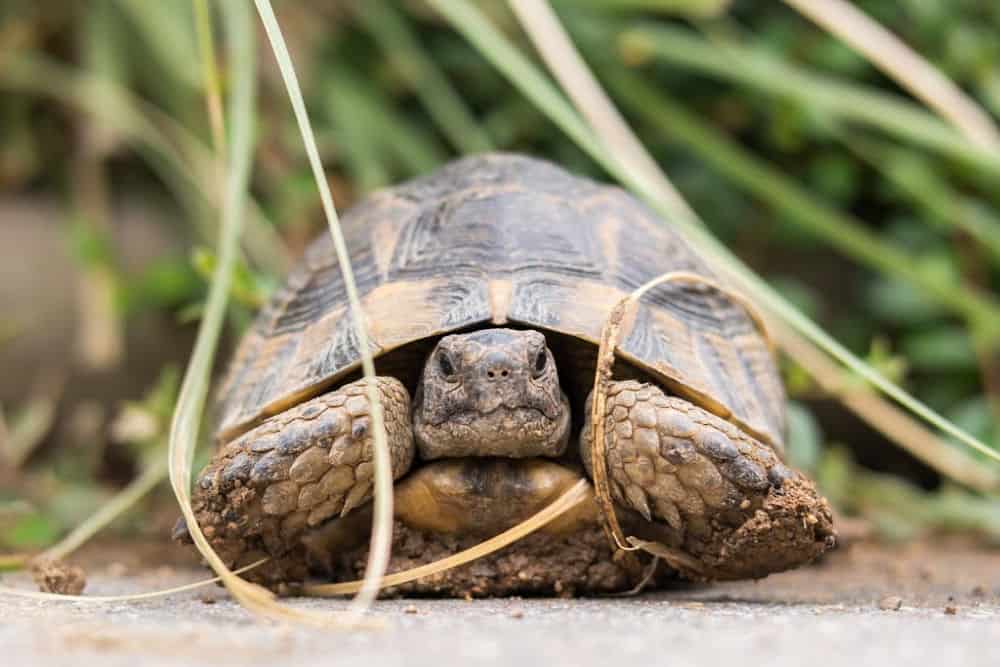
[{"x": 381, "y": 541}]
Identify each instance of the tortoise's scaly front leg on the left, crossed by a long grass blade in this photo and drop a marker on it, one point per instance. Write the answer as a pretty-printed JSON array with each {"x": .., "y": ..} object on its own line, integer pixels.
[{"x": 262, "y": 492}]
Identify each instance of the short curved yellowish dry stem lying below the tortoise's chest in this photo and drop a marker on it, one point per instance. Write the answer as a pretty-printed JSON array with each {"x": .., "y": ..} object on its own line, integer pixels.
[{"x": 567, "y": 501}]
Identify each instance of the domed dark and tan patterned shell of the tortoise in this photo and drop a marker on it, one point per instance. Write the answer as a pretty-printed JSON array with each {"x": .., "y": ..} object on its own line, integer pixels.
[{"x": 500, "y": 239}]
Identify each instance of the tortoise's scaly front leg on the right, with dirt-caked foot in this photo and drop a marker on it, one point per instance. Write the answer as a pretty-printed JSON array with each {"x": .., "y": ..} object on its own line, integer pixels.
[{"x": 714, "y": 492}]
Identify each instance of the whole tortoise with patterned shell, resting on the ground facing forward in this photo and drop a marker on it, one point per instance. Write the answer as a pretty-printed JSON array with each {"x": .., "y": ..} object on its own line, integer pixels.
[{"x": 486, "y": 286}]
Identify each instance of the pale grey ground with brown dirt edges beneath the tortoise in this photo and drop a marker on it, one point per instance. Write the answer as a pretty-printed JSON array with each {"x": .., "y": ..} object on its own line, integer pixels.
[{"x": 825, "y": 615}]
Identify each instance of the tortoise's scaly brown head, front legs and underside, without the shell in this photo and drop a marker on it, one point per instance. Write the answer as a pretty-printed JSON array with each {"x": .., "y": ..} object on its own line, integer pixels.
[{"x": 488, "y": 430}]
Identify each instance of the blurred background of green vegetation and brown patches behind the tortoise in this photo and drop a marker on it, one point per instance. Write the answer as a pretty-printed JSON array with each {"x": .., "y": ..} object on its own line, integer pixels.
[{"x": 874, "y": 217}]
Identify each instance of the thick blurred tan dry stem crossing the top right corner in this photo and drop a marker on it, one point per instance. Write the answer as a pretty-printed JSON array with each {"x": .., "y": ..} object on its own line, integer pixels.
[{"x": 898, "y": 61}]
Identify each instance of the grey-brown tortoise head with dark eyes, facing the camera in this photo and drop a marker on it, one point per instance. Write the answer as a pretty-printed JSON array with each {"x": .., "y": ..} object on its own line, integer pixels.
[{"x": 493, "y": 392}]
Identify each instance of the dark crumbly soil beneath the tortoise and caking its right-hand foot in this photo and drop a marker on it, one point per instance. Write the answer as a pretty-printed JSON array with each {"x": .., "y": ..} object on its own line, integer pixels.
[{"x": 773, "y": 538}]
